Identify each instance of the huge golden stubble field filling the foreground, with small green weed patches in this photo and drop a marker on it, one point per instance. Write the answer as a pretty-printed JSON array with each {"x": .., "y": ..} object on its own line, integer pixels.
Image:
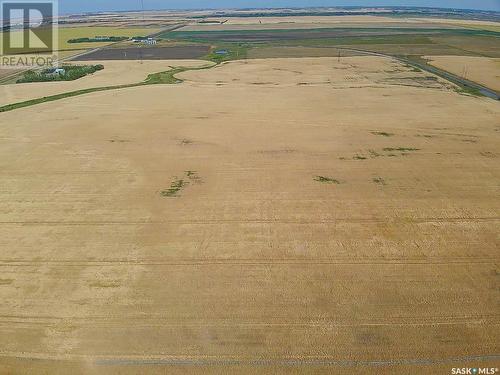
[{"x": 323, "y": 217}]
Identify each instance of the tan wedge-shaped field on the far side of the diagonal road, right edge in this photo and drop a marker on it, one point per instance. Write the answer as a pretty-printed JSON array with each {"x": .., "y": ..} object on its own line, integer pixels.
[{"x": 483, "y": 70}]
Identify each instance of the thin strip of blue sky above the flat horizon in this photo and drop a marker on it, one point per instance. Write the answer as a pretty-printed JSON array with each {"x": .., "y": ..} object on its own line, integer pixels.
[{"x": 74, "y": 6}]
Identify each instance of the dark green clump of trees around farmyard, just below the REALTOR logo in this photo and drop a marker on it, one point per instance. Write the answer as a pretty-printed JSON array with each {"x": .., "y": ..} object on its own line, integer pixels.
[{"x": 68, "y": 73}]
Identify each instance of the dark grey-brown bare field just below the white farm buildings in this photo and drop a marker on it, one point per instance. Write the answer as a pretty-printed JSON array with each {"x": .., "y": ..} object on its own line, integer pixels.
[{"x": 148, "y": 53}]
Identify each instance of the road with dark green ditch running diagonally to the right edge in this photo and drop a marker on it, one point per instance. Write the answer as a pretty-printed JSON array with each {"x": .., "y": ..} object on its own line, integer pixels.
[{"x": 462, "y": 82}]
